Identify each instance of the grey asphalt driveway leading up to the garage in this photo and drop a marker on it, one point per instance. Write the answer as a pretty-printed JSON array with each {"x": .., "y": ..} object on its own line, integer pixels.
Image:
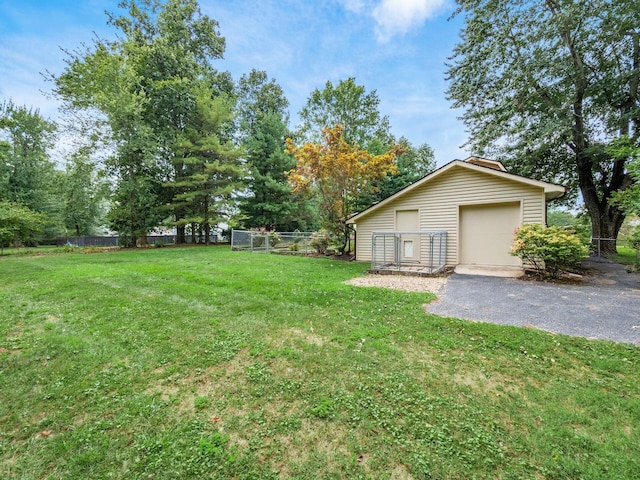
[{"x": 604, "y": 306}]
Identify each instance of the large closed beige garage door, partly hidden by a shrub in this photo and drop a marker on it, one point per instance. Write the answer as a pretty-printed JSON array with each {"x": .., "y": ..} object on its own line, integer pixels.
[{"x": 486, "y": 233}]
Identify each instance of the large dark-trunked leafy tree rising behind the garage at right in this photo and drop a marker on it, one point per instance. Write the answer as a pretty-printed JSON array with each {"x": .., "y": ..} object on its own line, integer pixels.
[{"x": 547, "y": 85}]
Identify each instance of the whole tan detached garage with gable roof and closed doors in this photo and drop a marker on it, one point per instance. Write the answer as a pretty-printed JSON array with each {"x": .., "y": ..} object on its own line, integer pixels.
[{"x": 463, "y": 214}]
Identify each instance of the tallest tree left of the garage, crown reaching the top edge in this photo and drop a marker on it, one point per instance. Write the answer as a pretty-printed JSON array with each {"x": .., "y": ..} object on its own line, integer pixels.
[{"x": 172, "y": 46}]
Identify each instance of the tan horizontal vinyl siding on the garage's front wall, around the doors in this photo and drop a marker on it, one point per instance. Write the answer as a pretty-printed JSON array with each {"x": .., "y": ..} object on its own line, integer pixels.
[{"x": 438, "y": 202}]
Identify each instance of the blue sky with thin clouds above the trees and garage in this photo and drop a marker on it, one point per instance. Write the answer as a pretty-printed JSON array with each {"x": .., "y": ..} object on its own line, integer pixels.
[{"x": 396, "y": 47}]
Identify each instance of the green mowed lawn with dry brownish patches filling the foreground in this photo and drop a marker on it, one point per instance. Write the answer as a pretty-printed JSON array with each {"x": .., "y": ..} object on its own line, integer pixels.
[{"x": 207, "y": 363}]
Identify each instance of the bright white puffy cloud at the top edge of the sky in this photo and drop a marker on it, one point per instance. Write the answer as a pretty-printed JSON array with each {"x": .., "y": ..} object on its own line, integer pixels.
[{"x": 397, "y": 17}]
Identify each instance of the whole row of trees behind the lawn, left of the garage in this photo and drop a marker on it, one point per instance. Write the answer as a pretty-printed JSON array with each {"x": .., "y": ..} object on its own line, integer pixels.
[{"x": 156, "y": 136}]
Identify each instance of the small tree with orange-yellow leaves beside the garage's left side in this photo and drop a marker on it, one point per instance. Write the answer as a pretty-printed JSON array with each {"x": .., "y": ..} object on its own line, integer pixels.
[{"x": 340, "y": 174}]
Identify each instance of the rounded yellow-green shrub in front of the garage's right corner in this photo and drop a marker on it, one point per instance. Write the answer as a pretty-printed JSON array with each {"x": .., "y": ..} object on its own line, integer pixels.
[{"x": 549, "y": 249}]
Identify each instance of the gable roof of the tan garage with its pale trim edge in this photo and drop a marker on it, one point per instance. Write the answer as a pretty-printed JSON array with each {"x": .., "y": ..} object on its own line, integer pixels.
[{"x": 476, "y": 164}]
